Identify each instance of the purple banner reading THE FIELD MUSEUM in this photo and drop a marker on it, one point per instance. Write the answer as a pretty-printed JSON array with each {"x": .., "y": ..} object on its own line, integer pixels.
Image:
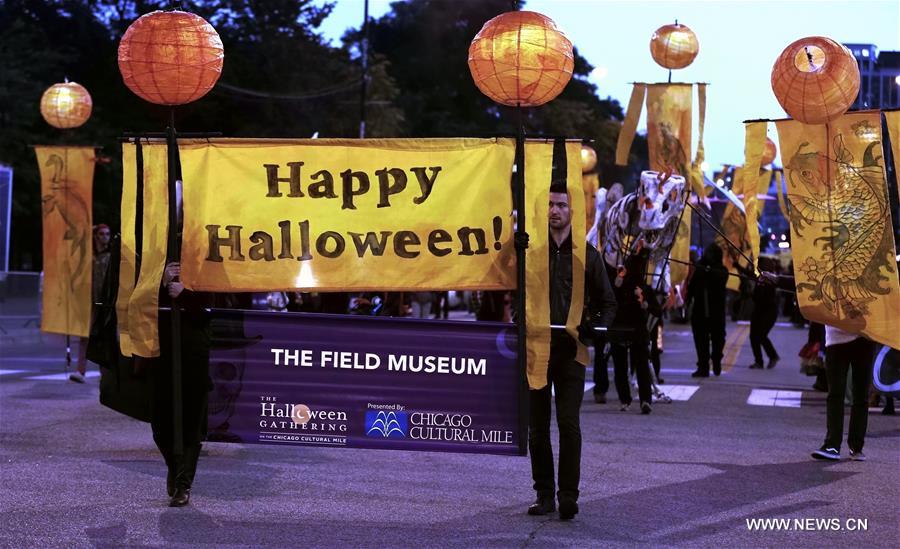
[{"x": 364, "y": 382}]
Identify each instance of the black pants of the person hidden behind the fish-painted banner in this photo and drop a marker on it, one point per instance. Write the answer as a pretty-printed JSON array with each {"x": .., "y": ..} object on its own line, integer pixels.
[{"x": 857, "y": 357}]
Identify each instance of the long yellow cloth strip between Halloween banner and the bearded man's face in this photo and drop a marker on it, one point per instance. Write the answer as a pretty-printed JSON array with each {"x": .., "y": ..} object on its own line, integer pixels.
[{"x": 538, "y": 172}]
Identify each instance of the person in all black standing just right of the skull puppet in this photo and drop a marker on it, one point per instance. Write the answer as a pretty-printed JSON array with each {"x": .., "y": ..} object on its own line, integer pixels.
[{"x": 706, "y": 290}]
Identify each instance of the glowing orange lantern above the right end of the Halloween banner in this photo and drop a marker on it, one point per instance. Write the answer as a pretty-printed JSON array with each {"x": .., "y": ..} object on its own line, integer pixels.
[{"x": 521, "y": 59}]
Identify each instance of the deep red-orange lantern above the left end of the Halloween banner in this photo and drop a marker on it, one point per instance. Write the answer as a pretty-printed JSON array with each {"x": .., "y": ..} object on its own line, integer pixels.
[{"x": 170, "y": 57}]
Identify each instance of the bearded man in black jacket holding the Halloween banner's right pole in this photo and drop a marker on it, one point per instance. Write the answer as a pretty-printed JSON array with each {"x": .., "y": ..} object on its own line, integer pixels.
[{"x": 564, "y": 373}]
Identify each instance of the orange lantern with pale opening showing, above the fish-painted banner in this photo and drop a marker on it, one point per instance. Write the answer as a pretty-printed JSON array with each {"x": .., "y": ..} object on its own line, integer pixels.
[{"x": 815, "y": 80}]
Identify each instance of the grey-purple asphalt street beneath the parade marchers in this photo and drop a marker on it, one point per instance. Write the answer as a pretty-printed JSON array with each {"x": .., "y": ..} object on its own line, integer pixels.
[{"x": 691, "y": 474}]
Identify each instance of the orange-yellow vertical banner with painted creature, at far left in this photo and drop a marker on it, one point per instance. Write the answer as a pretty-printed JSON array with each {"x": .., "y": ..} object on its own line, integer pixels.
[{"x": 67, "y": 177}]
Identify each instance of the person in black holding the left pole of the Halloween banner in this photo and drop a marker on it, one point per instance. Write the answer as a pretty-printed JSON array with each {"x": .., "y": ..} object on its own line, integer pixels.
[{"x": 195, "y": 383}]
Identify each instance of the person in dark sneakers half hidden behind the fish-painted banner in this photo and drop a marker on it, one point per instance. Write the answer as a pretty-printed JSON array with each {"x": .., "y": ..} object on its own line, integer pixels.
[{"x": 845, "y": 351}]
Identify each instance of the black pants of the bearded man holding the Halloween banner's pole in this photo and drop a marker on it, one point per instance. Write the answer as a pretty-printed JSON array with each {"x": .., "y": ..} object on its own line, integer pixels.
[{"x": 567, "y": 379}]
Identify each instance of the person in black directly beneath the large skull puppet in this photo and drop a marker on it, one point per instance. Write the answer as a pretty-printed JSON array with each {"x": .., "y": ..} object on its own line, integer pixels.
[{"x": 635, "y": 300}]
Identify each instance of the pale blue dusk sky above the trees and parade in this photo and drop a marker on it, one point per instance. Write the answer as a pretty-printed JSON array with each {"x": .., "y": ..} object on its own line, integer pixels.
[{"x": 739, "y": 42}]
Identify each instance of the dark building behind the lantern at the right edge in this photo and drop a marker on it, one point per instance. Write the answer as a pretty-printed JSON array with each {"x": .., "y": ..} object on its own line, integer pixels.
[{"x": 879, "y": 77}]
